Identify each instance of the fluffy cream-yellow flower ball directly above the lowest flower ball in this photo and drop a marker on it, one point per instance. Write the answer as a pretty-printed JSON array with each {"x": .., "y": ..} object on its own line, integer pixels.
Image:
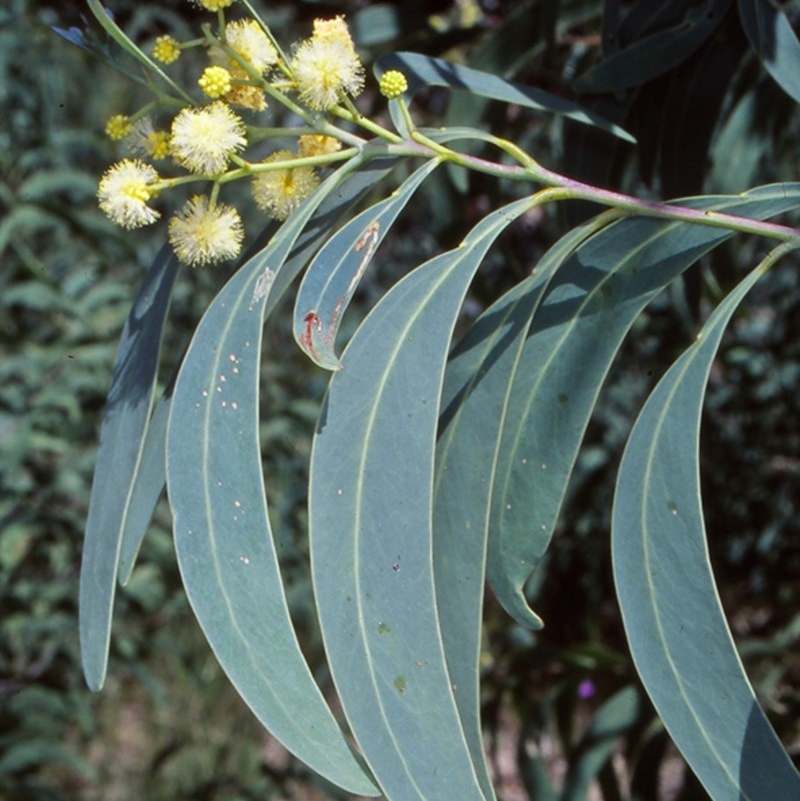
[{"x": 203, "y": 139}]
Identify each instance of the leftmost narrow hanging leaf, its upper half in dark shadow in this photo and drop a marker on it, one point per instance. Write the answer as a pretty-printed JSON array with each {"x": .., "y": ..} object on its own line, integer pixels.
[{"x": 121, "y": 439}]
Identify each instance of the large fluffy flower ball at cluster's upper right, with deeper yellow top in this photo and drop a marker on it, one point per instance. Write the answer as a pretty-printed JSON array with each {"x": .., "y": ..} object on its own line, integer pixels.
[{"x": 326, "y": 67}]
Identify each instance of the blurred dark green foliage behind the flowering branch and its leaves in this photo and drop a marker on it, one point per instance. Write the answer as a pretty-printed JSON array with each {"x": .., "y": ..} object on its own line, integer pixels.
[{"x": 167, "y": 725}]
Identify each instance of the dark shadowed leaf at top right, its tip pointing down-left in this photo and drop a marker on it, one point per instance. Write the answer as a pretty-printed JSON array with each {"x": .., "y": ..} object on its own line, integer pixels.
[{"x": 656, "y": 54}]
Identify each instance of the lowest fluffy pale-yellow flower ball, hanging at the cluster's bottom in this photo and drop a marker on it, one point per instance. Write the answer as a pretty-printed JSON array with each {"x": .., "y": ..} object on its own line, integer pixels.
[{"x": 202, "y": 233}]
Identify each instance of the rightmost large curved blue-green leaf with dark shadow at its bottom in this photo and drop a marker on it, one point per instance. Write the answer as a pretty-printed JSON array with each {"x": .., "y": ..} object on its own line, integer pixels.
[{"x": 676, "y": 628}]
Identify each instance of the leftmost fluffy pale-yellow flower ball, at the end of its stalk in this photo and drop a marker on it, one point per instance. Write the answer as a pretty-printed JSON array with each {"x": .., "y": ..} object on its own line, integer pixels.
[{"x": 124, "y": 190}]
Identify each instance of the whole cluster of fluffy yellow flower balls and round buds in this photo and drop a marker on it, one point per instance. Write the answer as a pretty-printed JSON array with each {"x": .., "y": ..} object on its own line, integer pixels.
[{"x": 208, "y": 140}]
